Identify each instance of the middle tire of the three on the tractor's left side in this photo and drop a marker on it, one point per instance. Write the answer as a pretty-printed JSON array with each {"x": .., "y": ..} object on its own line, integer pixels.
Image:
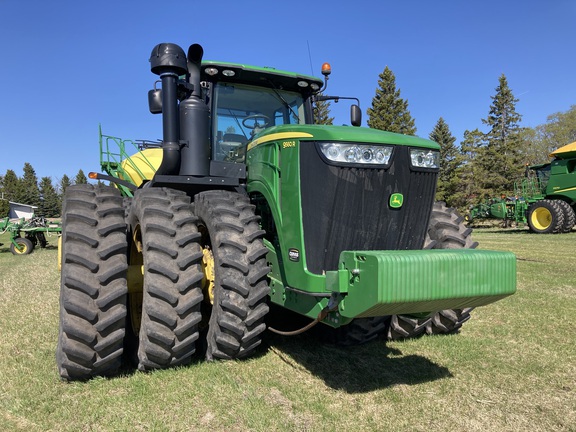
[{"x": 166, "y": 242}]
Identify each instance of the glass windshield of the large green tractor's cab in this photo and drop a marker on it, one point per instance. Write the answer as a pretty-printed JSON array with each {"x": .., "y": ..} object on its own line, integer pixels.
[{"x": 241, "y": 111}]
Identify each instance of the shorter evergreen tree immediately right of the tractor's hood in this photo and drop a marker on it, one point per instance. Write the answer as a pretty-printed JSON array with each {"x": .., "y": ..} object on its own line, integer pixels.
[{"x": 449, "y": 162}]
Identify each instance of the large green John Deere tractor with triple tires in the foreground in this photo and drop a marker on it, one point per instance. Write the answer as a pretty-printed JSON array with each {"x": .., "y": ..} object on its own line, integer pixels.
[{"x": 247, "y": 210}]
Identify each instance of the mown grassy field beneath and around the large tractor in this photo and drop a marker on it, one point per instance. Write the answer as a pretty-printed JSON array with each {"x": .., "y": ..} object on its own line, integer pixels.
[{"x": 512, "y": 367}]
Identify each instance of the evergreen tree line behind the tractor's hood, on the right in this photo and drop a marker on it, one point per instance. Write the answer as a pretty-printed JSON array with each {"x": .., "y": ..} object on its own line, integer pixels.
[{"x": 486, "y": 163}]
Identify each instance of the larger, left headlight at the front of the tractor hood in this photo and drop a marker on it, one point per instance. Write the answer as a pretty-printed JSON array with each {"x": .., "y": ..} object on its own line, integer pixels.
[{"x": 357, "y": 153}]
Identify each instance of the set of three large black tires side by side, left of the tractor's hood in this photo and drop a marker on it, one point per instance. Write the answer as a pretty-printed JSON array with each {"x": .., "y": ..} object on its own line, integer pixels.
[{"x": 134, "y": 283}]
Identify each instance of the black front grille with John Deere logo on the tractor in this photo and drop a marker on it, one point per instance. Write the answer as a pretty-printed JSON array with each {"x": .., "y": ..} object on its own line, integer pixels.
[{"x": 346, "y": 208}]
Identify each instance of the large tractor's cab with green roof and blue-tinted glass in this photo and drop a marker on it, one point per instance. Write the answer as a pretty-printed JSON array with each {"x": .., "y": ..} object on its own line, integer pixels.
[{"x": 245, "y": 100}]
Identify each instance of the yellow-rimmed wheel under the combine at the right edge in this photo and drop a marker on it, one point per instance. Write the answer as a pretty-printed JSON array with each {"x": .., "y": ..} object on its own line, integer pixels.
[{"x": 551, "y": 217}]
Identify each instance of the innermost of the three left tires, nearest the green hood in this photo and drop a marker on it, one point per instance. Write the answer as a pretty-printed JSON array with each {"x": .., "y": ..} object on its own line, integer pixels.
[{"x": 232, "y": 234}]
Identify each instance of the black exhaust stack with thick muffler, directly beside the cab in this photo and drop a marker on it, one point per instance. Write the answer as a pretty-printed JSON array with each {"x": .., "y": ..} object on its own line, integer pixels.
[{"x": 195, "y": 122}]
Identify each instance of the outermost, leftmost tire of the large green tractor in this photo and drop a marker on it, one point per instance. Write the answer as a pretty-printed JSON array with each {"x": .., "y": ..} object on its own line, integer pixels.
[{"x": 93, "y": 283}]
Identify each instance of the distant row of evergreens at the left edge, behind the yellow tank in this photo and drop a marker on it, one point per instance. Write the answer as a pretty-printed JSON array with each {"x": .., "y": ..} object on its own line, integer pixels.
[{"x": 28, "y": 190}]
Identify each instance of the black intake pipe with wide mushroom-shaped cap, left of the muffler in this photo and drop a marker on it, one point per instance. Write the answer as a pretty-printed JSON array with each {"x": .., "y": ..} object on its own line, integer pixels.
[{"x": 169, "y": 62}]
